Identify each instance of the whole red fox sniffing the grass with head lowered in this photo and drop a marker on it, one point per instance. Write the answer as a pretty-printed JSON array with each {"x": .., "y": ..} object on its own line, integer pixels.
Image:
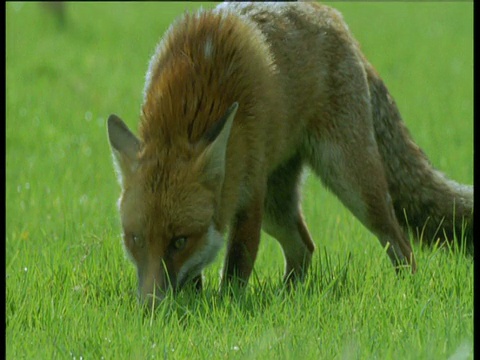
[{"x": 237, "y": 100}]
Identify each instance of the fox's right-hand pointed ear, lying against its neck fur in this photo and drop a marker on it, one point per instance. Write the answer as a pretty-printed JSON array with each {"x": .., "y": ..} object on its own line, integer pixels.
[{"x": 215, "y": 153}]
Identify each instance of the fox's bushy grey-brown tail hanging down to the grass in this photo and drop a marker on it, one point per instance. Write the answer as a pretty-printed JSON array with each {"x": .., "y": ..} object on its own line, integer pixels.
[{"x": 426, "y": 202}]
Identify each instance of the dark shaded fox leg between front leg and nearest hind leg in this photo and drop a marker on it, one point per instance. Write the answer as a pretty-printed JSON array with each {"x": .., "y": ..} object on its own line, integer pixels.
[{"x": 283, "y": 219}]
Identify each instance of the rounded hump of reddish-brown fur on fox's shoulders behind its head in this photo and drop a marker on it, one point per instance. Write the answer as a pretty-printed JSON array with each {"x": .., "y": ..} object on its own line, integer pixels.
[{"x": 205, "y": 62}]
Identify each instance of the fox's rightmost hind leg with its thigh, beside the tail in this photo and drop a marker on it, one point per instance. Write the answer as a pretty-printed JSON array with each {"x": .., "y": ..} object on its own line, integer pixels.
[{"x": 340, "y": 146}]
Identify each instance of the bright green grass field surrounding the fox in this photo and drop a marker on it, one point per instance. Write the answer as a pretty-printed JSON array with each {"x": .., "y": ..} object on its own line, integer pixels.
[{"x": 70, "y": 291}]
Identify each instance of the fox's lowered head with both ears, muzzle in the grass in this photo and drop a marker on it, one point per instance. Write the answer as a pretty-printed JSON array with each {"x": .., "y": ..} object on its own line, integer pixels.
[{"x": 168, "y": 204}]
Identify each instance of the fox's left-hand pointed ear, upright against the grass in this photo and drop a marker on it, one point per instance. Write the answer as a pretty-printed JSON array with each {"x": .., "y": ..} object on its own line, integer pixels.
[{"x": 125, "y": 147}]
